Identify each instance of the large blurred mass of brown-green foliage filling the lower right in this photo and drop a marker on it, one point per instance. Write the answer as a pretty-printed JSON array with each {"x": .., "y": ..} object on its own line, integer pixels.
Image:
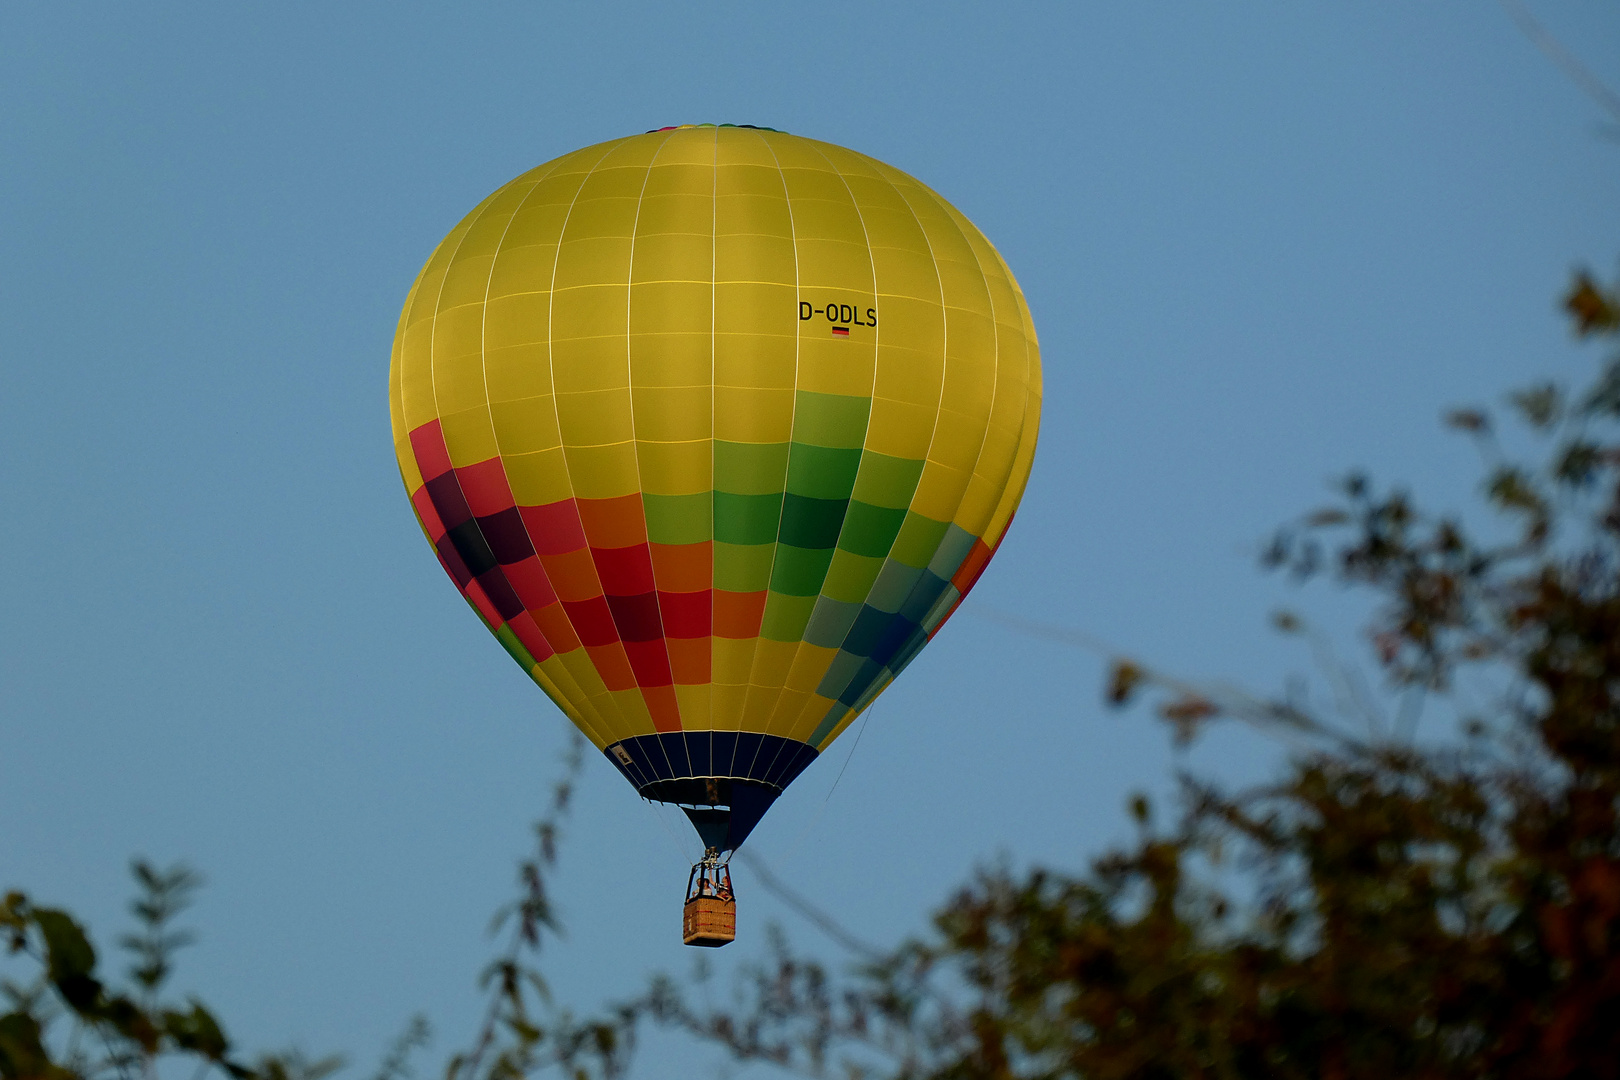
[{"x": 1388, "y": 906}]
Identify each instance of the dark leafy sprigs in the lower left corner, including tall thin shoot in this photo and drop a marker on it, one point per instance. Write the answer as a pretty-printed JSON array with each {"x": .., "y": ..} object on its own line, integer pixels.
[{"x": 67, "y": 1024}]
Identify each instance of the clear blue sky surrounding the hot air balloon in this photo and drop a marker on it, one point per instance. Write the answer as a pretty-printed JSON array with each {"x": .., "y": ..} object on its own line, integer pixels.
[{"x": 1263, "y": 244}]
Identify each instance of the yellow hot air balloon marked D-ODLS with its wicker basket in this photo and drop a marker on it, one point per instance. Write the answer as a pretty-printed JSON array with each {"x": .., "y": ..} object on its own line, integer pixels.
[{"x": 715, "y": 427}]
